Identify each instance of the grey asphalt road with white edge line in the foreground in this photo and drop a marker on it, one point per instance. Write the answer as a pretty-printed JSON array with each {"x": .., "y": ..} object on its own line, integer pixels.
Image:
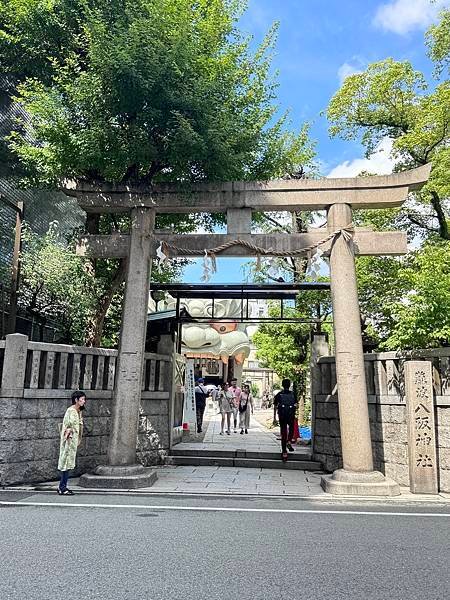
[{"x": 130, "y": 547}]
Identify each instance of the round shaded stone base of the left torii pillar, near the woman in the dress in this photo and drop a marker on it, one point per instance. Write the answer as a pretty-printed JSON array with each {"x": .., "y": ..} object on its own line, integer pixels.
[{"x": 129, "y": 477}]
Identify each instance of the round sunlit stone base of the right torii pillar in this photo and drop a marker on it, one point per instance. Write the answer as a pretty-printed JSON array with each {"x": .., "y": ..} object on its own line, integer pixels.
[{"x": 352, "y": 483}]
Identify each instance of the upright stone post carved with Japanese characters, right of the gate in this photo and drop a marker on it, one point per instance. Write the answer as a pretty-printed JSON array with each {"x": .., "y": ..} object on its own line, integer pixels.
[{"x": 421, "y": 430}]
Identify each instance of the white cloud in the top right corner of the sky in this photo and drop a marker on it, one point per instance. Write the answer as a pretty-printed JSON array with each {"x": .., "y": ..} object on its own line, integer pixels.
[{"x": 403, "y": 16}]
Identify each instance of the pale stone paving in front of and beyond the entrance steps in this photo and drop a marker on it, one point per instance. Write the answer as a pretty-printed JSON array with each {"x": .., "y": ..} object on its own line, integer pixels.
[{"x": 238, "y": 481}]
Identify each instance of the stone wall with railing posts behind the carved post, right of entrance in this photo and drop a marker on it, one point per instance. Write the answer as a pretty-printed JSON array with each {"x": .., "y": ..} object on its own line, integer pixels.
[{"x": 387, "y": 412}]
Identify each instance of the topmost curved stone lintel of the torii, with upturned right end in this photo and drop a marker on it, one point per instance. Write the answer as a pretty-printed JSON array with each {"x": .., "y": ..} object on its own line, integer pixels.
[{"x": 380, "y": 191}]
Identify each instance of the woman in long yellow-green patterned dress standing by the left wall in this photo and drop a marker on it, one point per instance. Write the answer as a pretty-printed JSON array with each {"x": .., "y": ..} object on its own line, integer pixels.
[{"x": 71, "y": 433}]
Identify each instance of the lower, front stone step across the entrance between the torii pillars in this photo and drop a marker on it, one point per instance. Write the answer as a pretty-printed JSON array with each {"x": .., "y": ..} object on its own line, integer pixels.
[{"x": 258, "y": 463}]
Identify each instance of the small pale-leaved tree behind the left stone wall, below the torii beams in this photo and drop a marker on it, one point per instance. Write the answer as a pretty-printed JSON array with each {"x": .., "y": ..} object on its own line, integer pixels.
[{"x": 59, "y": 286}]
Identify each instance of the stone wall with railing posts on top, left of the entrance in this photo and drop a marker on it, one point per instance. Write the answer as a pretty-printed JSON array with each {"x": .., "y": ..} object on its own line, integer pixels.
[{"x": 37, "y": 381}]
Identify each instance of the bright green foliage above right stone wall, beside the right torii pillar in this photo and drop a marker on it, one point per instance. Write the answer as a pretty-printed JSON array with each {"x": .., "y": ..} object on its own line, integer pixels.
[{"x": 407, "y": 302}]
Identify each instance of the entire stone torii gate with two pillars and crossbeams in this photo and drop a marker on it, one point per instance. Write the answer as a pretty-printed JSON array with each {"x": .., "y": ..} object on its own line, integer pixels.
[{"x": 238, "y": 200}]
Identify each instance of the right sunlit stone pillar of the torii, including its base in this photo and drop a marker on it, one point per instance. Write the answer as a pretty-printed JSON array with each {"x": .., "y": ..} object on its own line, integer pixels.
[{"x": 357, "y": 476}]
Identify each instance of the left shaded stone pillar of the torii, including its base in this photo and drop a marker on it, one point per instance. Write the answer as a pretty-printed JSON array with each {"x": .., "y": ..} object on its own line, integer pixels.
[{"x": 122, "y": 469}]
